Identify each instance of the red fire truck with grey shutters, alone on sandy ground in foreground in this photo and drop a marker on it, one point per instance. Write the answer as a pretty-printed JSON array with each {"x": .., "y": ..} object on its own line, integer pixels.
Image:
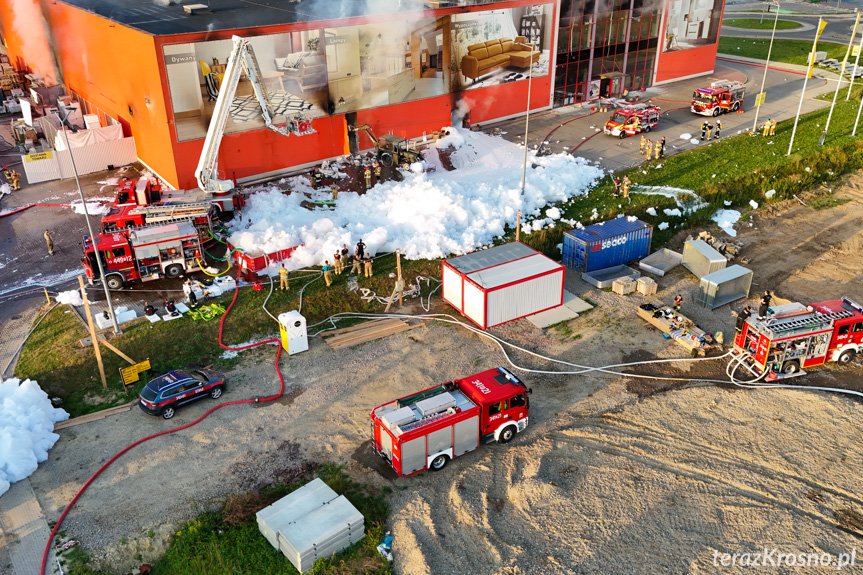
[{"x": 427, "y": 429}]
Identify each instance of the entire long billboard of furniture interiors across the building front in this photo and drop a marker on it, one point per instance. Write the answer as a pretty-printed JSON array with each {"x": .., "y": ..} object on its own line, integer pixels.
[{"x": 335, "y": 70}]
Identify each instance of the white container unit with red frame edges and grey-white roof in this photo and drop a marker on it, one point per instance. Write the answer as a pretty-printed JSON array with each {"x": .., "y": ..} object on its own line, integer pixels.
[{"x": 502, "y": 284}]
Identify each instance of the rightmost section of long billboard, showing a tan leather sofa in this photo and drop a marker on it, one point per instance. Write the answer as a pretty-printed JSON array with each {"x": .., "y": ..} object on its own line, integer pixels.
[{"x": 500, "y": 46}]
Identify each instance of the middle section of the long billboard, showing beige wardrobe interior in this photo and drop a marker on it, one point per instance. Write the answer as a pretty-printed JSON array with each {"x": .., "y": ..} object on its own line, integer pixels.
[{"x": 388, "y": 63}]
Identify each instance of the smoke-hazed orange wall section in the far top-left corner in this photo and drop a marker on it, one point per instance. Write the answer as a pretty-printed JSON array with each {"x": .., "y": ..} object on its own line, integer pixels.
[{"x": 27, "y": 42}]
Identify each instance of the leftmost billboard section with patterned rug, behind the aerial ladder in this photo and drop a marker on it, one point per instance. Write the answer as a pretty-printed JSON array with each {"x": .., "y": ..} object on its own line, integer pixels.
[{"x": 294, "y": 74}]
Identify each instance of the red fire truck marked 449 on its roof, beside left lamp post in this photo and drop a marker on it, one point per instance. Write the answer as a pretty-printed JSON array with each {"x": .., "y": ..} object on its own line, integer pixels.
[{"x": 144, "y": 254}]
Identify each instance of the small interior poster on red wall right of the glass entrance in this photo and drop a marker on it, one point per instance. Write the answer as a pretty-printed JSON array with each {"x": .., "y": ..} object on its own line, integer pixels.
[{"x": 692, "y": 23}]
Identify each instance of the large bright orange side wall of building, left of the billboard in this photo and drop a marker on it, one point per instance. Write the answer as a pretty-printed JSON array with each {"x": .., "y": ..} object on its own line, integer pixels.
[{"x": 117, "y": 69}]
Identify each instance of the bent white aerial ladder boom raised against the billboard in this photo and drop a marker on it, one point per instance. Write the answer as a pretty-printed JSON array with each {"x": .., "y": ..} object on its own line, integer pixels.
[{"x": 242, "y": 58}]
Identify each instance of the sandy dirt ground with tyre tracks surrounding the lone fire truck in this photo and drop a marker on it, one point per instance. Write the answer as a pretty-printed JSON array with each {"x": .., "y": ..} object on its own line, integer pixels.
[{"x": 614, "y": 474}]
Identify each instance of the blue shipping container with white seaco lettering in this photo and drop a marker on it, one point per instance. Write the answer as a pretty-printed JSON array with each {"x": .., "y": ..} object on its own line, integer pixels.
[{"x": 606, "y": 244}]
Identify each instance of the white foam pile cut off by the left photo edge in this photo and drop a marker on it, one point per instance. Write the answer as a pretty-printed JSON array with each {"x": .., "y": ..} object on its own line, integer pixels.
[{"x": 27, "y": 421}]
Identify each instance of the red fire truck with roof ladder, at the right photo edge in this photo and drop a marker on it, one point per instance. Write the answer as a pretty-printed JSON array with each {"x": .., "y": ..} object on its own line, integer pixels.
[{"x": 795, "y": 336}]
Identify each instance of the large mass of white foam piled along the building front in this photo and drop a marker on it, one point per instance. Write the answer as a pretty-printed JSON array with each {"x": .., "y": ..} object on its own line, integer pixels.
[{"x": 428, "y": 214}]
